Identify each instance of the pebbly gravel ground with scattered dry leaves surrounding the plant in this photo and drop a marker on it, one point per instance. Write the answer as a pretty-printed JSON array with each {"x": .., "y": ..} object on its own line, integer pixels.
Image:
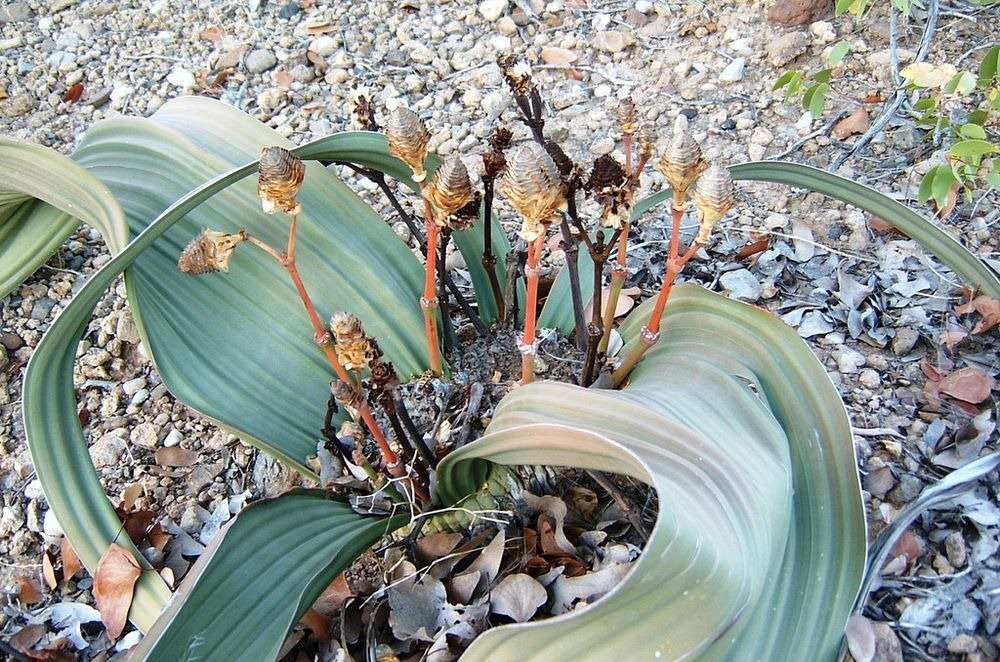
[{"x": 877, "y": 311}]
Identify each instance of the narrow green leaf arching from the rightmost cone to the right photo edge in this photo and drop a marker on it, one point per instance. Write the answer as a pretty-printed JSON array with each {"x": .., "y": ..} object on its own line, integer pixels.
[{"x": 934, "y": 240}]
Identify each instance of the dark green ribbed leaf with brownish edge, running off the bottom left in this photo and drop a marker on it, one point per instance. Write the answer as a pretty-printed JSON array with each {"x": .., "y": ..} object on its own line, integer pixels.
[{"x": 259, "y": 576}]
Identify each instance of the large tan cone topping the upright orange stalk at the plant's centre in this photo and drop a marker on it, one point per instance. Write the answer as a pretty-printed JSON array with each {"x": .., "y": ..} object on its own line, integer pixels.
[{"x": 533, "y": 186}]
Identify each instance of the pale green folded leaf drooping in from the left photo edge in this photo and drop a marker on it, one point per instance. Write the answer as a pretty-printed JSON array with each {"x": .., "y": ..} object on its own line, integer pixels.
[{"x": 43, "y": 198}]
